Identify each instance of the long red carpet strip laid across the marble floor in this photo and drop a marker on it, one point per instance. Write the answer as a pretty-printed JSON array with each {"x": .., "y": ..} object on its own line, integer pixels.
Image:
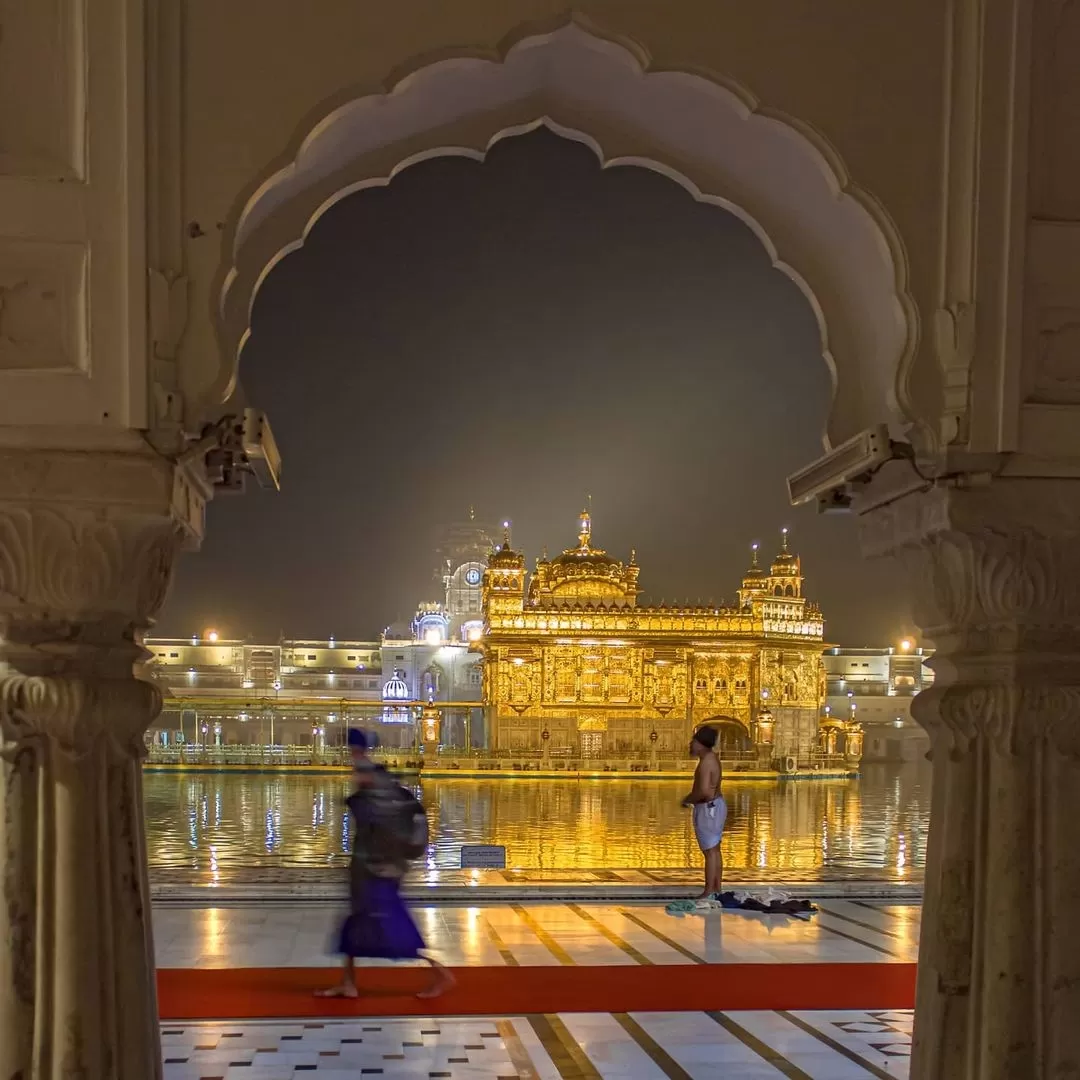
[{"x": 267, "y": 993}]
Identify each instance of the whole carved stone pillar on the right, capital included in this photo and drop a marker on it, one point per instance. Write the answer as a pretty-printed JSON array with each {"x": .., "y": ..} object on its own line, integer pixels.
[{"x": 996, "y": 582}]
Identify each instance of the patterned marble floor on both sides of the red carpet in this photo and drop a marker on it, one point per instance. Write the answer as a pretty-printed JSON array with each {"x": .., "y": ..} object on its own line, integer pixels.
[{"x": 685, "y": 1046}]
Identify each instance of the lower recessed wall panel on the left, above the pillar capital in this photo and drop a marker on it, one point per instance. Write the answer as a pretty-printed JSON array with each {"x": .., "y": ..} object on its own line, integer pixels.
[{"x": 44, "y": 307}]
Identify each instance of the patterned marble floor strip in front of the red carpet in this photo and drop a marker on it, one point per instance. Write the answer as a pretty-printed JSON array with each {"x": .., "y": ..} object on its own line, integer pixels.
[{"x": 736, "y": 1046}]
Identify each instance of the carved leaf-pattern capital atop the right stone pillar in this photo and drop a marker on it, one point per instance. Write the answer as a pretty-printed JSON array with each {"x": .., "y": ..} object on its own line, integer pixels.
[{"x": 995, "y": 579}]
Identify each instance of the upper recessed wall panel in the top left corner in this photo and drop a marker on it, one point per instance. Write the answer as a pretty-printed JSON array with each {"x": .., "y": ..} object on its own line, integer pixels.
[{"x": 43, "y": 89}]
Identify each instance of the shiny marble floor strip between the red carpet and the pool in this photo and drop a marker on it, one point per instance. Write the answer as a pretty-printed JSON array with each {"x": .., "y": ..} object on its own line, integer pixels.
[{"x": 525, "y": 935}]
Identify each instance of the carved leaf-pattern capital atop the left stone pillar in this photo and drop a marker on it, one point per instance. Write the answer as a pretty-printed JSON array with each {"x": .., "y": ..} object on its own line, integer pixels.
[{"x": 88, "y": 542}]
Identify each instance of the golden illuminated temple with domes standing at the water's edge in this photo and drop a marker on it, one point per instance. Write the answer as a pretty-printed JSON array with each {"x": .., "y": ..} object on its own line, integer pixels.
[{"x": 575, "y": 667}]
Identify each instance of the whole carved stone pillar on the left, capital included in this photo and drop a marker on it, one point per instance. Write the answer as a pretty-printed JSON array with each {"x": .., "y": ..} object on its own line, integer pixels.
[{"x": 88, "y": 543}]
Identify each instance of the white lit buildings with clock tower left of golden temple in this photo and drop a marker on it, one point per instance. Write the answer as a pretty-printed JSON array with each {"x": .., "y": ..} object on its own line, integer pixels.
[{"x": 305, "y": 693}]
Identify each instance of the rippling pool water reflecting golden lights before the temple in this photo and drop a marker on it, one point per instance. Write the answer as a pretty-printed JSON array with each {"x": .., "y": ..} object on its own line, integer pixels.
[{"x": 208, "y": 822}]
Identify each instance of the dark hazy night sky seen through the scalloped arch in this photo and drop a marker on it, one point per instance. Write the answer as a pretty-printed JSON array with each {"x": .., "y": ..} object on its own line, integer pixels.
[{"x": 516, "y": 335}]
